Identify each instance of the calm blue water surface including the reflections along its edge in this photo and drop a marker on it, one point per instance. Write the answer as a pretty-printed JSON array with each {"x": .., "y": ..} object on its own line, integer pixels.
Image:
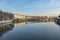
[{"x": 30, "y": 31}]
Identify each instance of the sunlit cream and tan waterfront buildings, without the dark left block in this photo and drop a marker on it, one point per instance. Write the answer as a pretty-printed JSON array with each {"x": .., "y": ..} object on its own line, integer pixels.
[{"x": 34, "y": 18}]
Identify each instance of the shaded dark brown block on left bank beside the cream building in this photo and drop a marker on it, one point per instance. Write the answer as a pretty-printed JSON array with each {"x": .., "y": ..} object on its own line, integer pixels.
[{"x": 6, "y": 16}]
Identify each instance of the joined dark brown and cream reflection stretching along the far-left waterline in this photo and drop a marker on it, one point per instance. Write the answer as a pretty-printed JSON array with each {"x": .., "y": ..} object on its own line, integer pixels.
[{"x": 4, "y": 28}]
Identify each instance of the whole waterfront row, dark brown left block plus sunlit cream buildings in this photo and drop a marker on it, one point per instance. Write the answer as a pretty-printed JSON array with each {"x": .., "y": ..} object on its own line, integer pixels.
[{"x": 9, "y": 16}]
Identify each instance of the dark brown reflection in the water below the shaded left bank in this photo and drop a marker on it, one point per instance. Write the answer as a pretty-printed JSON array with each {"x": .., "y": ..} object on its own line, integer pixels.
[{"x": 4, "y": 28}]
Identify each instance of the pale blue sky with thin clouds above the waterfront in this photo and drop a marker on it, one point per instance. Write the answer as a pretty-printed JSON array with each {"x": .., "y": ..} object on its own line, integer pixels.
[{"x": 31, "y": 7}]
